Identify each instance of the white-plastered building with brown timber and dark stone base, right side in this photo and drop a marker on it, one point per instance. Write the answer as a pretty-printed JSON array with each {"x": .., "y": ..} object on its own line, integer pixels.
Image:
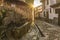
[{"x": 49, "y": 13}]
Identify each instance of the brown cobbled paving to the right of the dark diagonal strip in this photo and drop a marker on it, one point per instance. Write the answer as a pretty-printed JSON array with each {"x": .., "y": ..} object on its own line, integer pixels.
[{"x": 50, "y": 31}]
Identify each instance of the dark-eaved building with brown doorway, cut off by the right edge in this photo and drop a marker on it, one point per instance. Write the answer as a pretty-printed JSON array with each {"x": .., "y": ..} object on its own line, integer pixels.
[{"x": 56, "y": 7}]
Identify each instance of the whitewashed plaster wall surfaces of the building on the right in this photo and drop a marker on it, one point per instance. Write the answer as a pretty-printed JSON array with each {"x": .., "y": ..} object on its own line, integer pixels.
[{"x": 52, "y": 14}]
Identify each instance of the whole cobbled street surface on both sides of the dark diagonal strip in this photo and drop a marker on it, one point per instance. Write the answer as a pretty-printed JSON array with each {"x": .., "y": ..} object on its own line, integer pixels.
[{"x": 51, "y": 32}]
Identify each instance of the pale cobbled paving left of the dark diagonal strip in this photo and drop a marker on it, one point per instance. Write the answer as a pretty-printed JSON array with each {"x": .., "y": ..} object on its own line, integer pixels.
[{"x": 33, "y": 34}]
